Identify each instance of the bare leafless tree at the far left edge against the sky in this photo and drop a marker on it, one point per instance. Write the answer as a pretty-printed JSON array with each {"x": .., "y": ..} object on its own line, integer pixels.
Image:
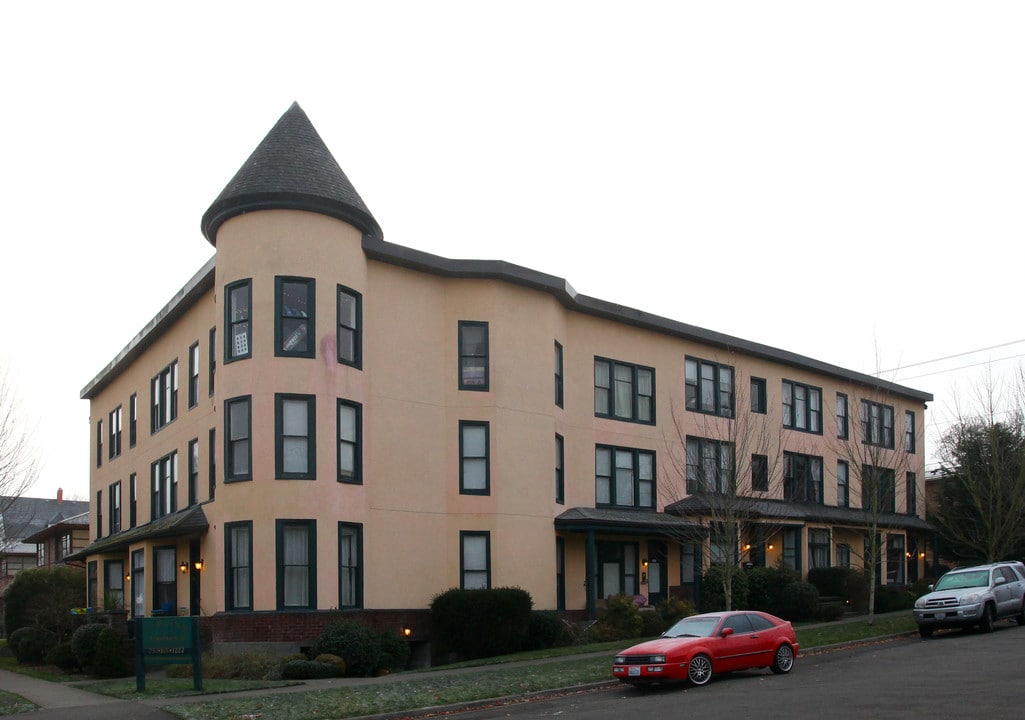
[{"x": 20, "y": 460}]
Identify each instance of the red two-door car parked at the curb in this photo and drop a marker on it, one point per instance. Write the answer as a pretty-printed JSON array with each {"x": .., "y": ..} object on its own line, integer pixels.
[{"x": 698, "y": 648}]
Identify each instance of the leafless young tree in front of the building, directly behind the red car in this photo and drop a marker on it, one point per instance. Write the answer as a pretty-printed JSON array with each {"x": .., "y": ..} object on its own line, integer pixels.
[{"x": 724, "y": 459}]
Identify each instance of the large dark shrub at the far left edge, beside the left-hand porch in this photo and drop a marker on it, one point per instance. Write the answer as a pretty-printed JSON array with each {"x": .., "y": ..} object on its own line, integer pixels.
[{"x": 44, "y": 597}]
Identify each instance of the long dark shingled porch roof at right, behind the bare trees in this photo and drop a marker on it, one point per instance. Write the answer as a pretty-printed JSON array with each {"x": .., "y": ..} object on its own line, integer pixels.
[{"x": 755, "y": 508}]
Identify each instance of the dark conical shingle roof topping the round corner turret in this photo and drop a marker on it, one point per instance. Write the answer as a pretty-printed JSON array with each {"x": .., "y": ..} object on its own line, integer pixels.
[{"x": 291, "y": 170}]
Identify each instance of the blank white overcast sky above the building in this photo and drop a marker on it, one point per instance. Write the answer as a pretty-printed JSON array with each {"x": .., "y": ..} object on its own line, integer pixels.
[{"x": 839, "y": 180}]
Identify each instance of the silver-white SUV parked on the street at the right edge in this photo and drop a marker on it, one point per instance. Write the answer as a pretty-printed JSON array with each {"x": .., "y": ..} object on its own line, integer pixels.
[{"x": 970, "y": 596}]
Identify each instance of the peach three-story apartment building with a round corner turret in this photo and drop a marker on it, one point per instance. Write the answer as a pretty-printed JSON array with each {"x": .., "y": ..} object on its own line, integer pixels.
[{"x": 321, "y": 420}]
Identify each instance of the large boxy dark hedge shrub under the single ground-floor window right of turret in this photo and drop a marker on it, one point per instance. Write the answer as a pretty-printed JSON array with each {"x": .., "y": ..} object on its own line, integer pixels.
[{"x": 481, "y": 623}]
